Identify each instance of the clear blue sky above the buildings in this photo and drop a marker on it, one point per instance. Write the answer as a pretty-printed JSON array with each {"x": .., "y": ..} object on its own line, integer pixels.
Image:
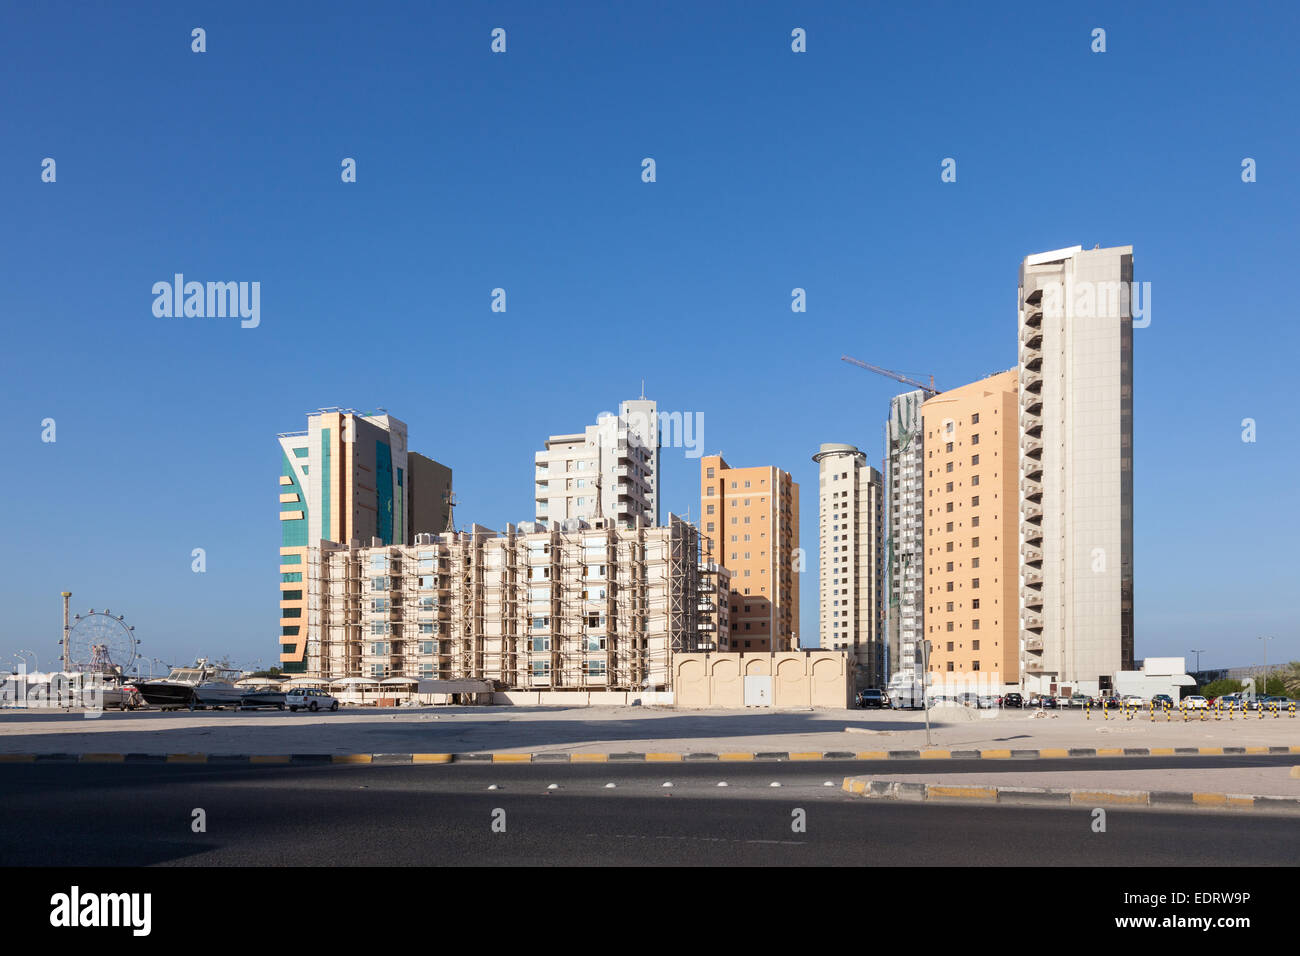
[{"x": 523, "y": 171}]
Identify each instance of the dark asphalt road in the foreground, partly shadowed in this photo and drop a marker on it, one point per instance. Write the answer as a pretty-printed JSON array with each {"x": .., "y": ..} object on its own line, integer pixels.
[{"x": 444, "y": 815}]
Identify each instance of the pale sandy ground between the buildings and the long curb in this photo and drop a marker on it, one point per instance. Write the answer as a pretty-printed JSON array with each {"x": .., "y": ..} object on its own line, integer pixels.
[{"x": 613, "y": 730}]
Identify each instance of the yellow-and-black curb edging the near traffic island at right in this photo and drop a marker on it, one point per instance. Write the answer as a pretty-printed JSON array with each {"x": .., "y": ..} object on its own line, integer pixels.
[{"x": 1046, "y": 797}]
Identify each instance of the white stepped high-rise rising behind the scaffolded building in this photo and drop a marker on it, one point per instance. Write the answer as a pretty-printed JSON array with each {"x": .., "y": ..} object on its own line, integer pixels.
[{"x": 608, "y": 471}]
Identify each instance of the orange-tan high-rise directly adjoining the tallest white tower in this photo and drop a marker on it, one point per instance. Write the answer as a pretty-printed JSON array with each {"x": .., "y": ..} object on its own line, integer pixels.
[{"x": 972, "y": 535}]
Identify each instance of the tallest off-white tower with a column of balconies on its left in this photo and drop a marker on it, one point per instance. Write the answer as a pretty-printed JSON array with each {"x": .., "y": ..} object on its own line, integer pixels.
[{"x": 1077, "y": 503}]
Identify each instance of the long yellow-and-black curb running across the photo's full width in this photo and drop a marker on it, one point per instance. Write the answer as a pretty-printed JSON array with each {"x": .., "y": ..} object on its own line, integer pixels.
[{"x": 622, "y": 758}]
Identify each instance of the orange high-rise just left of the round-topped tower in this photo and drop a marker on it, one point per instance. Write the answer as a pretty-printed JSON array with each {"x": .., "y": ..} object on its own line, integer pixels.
[{"x": 751, "y": 521}]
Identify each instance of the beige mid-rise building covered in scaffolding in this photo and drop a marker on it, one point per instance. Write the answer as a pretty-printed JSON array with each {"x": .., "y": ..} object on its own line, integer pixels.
[{"x": 574, "y": 605}]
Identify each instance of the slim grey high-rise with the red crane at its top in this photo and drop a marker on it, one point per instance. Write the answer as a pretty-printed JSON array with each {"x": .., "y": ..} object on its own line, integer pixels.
[{"x": 905, "y": 565}]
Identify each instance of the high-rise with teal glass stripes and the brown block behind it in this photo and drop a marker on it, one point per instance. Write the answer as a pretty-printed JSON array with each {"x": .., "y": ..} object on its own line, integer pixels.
[{"x": 348, "y": 478}]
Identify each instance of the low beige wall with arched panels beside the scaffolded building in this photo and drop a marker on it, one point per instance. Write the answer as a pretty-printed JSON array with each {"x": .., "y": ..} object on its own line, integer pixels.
[{"x": 799, "y": 680}]
